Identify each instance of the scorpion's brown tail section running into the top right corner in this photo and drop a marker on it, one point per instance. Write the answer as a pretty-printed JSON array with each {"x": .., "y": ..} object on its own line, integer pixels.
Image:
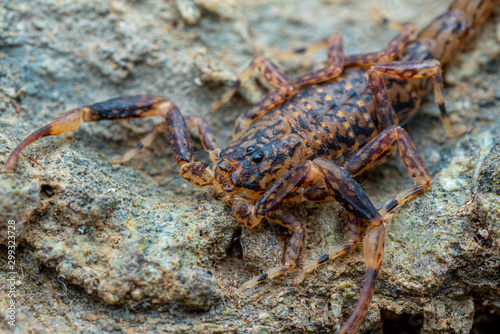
[{"x": 451, "y": 29}]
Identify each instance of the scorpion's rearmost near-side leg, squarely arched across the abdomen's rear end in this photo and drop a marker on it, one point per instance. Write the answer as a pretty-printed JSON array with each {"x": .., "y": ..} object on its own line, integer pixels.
[{"x": 407, "y": 70}]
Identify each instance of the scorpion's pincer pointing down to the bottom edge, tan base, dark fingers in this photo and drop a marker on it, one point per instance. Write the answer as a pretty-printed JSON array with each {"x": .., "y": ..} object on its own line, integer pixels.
[{"x": 373, "y": 248}]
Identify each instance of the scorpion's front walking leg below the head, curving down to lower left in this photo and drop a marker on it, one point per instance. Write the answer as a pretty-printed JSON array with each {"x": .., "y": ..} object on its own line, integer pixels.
[{"x": 293, "y": 250}]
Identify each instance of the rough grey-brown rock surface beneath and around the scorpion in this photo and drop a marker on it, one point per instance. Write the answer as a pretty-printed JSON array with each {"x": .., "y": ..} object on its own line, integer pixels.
[{"x": 132, "y": 247}]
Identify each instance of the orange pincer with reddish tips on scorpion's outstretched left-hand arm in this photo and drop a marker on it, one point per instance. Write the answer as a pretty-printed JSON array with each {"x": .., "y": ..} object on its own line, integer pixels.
[{"x": 69, "y": 121}]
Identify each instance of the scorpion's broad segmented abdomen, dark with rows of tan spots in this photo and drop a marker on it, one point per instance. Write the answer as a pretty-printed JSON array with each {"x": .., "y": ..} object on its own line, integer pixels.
[{"x": 337, "y": 117}]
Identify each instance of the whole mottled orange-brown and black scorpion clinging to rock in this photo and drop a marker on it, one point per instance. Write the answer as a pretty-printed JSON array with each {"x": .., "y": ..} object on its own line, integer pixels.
[{"x": 310, "y": 137}]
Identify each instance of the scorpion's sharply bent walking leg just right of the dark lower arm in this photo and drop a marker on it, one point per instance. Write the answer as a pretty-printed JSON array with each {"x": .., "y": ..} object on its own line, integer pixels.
[{"x": 378, "y": 148}]
